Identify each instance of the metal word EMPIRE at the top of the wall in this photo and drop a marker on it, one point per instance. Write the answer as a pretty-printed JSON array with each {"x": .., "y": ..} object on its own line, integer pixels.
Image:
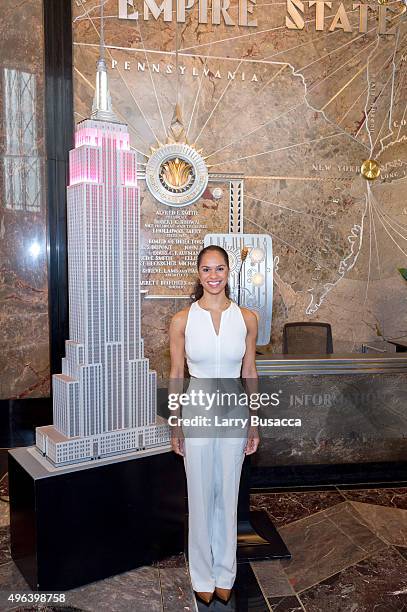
[{"x": 218, "y": 9}]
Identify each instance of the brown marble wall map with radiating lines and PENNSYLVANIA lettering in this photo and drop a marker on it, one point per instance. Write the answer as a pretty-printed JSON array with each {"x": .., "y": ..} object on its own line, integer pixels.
[{"x": 292, "y": 111}]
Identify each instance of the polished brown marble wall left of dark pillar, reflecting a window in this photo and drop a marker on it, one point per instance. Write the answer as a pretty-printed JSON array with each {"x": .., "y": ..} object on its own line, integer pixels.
[{"x": 24, "y": 354}]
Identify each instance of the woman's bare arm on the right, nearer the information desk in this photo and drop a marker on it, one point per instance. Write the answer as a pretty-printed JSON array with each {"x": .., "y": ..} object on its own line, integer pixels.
[{"x": 249, "y": 373}]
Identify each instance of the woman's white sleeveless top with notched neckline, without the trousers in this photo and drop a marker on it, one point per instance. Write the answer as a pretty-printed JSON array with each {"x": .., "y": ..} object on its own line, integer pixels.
[{"x": 212, "y": 355}]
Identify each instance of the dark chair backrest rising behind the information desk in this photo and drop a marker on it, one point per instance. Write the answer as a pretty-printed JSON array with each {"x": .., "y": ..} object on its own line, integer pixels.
[{"x": 307, "y": 338}]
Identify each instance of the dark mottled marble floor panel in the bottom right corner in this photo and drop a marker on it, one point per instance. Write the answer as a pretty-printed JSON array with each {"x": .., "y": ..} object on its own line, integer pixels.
[{"x": 376, "y": 583}]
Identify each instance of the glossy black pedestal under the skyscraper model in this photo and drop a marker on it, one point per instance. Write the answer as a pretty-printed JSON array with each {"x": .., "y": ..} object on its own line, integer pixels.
[{"x": 82, "y": 524}]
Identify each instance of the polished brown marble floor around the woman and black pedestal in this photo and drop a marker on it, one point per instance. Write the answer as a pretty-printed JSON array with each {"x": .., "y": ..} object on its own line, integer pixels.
[{"x": 349, "y": 554}]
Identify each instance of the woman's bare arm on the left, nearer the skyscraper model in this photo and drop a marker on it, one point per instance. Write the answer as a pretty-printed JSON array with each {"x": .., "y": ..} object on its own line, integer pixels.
[{"x": 175, "y": 384}]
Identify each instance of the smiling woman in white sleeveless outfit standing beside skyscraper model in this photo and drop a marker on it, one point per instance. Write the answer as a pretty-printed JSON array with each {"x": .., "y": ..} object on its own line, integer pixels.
[{"x": 218, "y": 339}]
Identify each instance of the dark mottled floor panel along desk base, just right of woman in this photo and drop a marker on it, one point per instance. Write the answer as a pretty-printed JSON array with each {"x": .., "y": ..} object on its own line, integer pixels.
[{"x": 287, "y": 507}]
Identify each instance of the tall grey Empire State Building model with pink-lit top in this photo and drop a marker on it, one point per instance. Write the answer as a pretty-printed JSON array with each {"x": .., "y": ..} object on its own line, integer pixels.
[{"x": 104, "y": 402}]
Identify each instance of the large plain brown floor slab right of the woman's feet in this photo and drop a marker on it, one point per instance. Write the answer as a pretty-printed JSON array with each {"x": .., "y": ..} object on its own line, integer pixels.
[{"x": 325, "y": 543}]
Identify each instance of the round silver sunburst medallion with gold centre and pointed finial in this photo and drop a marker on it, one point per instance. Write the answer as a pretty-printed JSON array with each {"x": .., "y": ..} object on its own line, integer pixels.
[{"x": 176, "y": 172}]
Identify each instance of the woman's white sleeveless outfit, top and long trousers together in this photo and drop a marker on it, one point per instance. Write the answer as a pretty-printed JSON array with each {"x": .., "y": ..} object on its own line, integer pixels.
[{"x": 213, "y": 464}]
